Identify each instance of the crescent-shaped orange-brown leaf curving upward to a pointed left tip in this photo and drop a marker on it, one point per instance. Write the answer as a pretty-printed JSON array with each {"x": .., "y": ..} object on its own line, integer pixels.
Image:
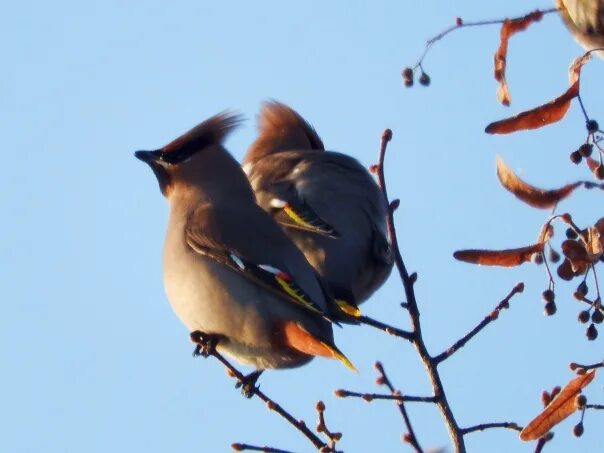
[{"x": 531, "y": 195}]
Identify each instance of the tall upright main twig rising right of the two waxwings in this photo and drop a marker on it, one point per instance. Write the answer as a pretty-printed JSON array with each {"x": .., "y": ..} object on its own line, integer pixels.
[{"x": 413, "y": 310}]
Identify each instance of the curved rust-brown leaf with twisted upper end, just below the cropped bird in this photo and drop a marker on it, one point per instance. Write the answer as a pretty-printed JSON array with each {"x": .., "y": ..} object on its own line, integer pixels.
[{"x": 545, "y": 114}]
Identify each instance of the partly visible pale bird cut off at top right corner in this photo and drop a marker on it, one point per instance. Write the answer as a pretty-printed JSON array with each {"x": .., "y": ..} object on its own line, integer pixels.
[{"x": 584, "y": 19}]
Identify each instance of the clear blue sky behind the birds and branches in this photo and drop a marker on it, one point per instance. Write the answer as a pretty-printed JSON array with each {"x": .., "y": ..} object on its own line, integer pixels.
[{"x": 93, "y": 358}]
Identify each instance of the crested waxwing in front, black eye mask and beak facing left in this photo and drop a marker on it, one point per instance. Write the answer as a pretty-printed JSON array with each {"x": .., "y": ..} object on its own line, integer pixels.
[{"x": 229, "y": 270}]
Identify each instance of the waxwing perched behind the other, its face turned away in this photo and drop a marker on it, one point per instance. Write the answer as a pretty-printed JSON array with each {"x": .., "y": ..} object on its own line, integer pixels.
[{"x": 327, "y": 202}]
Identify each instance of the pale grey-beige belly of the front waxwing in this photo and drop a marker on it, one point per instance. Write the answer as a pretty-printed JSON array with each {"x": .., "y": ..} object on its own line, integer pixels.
[{"x": 227, "y": 304}]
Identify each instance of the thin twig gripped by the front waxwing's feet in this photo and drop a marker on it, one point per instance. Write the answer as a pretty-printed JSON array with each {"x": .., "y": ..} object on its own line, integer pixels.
[{"x": 210, "y": 350}]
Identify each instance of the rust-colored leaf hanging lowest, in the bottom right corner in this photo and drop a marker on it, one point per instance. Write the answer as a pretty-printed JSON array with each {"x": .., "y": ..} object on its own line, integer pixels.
[{"x": 558, "y": 409}]
